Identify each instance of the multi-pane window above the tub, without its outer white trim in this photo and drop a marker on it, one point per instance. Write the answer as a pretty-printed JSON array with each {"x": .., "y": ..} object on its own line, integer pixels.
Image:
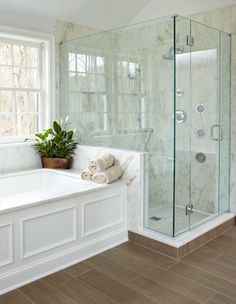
[{"x": 23, "y": 87}]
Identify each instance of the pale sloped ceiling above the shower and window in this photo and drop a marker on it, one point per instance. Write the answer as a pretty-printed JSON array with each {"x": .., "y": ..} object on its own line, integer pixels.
[{"x": 106, "y": 14}]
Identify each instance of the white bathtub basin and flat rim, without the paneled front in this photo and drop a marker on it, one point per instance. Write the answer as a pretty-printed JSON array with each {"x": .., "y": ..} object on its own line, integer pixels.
[{"x": 30, "y": 187}]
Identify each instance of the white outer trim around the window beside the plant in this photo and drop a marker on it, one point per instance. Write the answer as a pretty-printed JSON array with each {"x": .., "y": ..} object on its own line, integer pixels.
[{"x": 47, "y": 67}]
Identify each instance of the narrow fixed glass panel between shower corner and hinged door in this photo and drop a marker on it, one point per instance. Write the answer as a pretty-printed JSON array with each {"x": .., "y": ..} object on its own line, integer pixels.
[{"x": 182, "y": 117}]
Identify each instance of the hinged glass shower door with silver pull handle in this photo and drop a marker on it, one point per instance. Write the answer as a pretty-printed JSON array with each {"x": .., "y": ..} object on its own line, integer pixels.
[{"x": 207, "y": 132}]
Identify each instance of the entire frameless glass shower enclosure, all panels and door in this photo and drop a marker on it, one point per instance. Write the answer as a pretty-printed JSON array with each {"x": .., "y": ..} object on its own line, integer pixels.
[{"x": 161, "y": 87}]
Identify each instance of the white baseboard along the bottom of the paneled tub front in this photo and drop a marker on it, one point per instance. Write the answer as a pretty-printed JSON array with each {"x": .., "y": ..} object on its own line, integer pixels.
[{"x": 63, "y": 259}]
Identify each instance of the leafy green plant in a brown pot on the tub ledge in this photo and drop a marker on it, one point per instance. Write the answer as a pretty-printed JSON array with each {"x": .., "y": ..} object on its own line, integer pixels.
[{"x": 56, "y": 147}]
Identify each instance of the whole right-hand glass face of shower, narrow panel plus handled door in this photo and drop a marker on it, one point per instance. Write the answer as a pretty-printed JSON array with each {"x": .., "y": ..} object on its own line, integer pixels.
[{"x": 199, "y": 131}]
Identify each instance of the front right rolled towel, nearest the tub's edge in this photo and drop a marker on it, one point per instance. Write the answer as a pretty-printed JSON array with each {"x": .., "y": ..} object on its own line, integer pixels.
[{"x": 108, "y": 176}]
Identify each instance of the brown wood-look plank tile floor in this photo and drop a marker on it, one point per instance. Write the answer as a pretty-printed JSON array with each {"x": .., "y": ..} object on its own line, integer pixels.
[{"x": 131, "y": 274}]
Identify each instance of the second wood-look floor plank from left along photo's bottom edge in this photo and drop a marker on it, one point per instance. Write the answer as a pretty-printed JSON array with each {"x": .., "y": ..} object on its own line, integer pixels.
[{"x": 42, "y": 293}]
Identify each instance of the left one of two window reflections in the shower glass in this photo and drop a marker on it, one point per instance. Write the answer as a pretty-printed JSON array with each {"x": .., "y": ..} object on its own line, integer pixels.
[{"x": 88, "y": 89}]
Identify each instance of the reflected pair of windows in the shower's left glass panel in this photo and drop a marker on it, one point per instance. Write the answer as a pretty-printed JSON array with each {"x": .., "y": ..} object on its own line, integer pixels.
[{"x": 105, "y": 94}]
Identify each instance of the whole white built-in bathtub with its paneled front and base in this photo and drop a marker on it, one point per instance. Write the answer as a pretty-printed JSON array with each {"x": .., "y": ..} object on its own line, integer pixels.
[{"x": 52, "y": 219}]
